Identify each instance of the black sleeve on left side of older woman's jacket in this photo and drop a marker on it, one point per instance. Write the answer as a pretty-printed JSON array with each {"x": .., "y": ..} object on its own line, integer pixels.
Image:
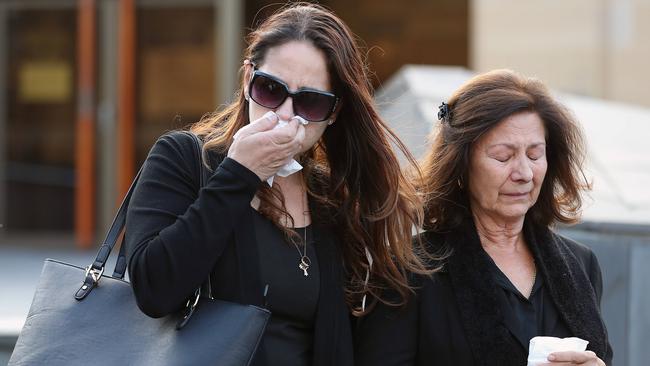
[{"x": 388, "y": 335}]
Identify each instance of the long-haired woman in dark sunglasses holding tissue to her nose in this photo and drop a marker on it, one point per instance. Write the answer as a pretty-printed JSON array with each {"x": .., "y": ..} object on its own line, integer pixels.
[{"x": 320, "y": 238}]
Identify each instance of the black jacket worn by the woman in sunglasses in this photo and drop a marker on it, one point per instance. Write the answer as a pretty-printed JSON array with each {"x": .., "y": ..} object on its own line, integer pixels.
[{"x": 176, "y": 236}]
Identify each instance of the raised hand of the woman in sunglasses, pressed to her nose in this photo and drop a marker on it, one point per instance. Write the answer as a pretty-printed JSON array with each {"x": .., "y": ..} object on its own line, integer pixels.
[{"x": 264, "y": 149}]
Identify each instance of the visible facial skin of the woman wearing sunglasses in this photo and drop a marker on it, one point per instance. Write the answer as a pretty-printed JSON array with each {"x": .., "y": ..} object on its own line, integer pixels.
[{"x": 299, "y": 65}]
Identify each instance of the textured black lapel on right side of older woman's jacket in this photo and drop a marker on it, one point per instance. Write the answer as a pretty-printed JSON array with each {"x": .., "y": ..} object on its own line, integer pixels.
[{"x": 568, "y": 286}]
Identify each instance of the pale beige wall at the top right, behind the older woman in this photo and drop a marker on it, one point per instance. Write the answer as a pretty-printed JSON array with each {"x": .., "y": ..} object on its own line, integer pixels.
[{"x": 595, "y": 48}]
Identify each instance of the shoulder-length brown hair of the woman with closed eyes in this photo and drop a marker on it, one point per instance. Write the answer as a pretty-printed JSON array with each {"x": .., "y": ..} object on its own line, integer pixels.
[{"x": 478, "y": 106}]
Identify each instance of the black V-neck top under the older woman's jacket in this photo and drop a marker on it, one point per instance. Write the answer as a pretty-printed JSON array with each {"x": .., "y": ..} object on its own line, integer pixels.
[{"x": 528, "y": 317}]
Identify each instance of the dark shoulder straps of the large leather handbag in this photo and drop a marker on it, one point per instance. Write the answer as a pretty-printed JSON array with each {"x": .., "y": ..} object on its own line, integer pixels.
[{"x": 96, "y": 269}]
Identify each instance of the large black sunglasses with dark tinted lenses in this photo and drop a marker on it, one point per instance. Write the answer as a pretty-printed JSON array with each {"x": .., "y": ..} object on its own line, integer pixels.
[{"x": 310, "y": 104}]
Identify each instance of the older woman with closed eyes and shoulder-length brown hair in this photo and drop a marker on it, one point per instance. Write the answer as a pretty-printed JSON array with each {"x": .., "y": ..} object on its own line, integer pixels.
[{"x": 504, "y": 166}]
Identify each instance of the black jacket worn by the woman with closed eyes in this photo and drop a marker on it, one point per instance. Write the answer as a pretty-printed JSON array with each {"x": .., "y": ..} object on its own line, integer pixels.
[{"x": 455, "y": 317}]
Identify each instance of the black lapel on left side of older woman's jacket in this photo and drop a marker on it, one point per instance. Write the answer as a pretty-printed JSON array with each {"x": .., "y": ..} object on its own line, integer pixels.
[{"x": 476, "y": 296}]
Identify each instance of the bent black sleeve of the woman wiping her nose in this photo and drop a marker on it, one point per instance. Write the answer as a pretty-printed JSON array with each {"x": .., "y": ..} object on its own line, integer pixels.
[{"x": 174, "y": 234}]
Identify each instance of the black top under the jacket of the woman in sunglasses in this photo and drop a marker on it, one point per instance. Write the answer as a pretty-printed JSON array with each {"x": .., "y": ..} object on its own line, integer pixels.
[{"x": 292, "y": 296}]
